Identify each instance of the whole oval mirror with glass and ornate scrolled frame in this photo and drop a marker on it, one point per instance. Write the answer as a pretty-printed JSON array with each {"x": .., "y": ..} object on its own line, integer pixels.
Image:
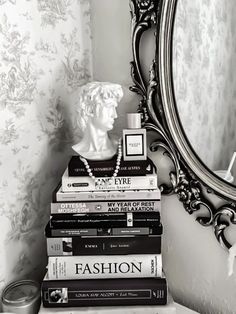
[{"x": 189, "y": 109}]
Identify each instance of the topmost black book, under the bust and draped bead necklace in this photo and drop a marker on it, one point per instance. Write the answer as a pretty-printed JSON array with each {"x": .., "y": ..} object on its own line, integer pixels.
[{"x": 105, "y": 168}]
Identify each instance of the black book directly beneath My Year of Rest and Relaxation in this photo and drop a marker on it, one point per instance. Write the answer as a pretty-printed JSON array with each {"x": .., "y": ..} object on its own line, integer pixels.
[{"x": 105, "y": 220}]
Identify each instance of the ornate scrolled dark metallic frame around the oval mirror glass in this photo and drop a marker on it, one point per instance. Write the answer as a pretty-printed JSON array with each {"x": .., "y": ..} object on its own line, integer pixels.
[{"x": 191, "y": 180}]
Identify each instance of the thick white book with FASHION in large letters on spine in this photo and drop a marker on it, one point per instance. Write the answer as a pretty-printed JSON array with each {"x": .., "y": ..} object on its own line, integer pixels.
[{"x": 105, "y": 266}]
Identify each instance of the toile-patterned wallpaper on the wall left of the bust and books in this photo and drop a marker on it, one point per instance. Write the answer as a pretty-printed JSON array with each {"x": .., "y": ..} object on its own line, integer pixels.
[{"x": 45, "y": 57}]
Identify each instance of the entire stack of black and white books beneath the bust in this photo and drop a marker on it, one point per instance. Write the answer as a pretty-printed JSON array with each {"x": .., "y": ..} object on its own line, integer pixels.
[{"x": 104, "y": 237}]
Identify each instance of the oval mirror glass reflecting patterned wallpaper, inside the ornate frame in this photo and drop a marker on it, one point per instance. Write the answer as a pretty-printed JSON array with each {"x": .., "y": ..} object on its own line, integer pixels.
[{"x": 204, "y": 77}]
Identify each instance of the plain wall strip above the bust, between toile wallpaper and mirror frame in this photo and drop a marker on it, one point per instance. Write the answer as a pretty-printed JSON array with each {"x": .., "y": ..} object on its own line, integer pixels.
[{"x": 112, "y": 51}]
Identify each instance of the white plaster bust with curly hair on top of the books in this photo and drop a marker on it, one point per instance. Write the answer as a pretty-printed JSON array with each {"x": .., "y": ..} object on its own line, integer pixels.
[{"x": 96, "y": 114}]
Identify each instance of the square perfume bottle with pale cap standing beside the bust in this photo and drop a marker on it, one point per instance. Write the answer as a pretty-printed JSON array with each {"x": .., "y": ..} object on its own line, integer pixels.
[{"x": 134, "y": 139}]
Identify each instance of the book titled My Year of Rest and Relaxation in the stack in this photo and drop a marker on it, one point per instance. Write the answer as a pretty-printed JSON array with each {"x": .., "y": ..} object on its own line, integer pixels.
[{"x": 105, "y": 207}]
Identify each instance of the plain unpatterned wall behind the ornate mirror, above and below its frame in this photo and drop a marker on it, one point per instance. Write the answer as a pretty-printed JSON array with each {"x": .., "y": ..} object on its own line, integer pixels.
[{"x": 194, "y": 262}]
